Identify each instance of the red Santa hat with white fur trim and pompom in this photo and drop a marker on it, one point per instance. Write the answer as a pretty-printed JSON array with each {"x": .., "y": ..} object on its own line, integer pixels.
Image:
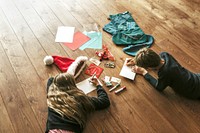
[{"x": 74, "y": 67}]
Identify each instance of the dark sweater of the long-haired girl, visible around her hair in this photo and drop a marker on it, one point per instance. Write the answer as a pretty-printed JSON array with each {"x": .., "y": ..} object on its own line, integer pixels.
[{"x": 56, "y": 121}]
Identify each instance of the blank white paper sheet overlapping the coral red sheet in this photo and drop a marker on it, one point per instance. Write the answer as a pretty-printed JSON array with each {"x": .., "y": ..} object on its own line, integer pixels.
[{"x": 65, "y": 34}]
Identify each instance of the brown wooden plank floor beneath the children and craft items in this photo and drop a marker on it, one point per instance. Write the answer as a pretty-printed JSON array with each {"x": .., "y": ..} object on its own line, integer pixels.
[{"x": 27, "y": 34}]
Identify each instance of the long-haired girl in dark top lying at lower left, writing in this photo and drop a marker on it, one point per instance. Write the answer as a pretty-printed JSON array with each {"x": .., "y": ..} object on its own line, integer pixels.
[{"x": 68, "y": 106}]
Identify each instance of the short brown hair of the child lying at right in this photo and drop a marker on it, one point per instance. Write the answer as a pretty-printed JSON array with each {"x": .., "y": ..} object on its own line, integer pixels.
[{"x": 146, "y": 57}]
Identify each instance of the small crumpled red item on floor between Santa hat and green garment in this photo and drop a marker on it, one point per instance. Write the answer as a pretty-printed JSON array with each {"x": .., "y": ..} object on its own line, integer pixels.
[{"x": 105, "y": 54}]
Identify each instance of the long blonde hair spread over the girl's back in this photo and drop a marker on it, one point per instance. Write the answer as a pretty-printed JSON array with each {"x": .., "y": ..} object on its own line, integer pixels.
[{"x": 67, "y": 100}]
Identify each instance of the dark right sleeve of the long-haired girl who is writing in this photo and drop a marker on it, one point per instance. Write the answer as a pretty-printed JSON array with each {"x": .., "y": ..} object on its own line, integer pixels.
[{"x": 102, "y": 100}]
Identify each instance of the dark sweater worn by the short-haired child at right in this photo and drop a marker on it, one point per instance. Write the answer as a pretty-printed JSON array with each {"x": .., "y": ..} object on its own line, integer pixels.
[{"x": 172, "y": 74}]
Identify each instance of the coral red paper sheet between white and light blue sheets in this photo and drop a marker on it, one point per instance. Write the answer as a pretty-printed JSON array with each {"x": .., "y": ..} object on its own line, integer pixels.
[{"x": 79, "y": 39}]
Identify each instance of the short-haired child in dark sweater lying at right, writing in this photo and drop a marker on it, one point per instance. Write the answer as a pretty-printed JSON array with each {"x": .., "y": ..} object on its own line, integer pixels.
[{"x": 170, "y": 73}]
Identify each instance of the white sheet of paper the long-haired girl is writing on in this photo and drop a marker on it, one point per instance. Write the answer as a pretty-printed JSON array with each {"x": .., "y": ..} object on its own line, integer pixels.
[{"x": 86, "y": 86}]
